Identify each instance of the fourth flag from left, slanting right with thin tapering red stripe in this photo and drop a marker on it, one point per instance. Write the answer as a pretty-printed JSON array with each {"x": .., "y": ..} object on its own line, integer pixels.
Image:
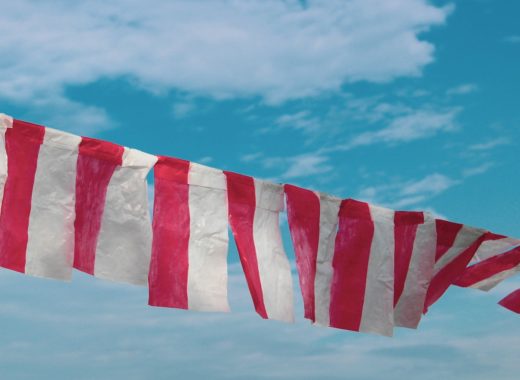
[{"x": 254, "y": 208}]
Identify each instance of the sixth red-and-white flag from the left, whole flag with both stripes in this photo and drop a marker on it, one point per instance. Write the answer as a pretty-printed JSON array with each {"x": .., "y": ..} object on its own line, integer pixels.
[{"x": 362, "y": 289}]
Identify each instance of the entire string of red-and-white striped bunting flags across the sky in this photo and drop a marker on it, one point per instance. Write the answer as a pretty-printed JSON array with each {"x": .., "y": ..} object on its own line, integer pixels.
[{"x": 76, "y": 202}]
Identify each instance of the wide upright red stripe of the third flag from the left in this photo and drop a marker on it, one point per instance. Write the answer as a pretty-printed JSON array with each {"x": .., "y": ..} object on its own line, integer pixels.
[{"x": 168, "y": 277}]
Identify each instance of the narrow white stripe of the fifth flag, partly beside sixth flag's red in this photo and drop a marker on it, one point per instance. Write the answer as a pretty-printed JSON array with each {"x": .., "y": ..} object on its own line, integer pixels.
[{"x": 329, "y": 208}]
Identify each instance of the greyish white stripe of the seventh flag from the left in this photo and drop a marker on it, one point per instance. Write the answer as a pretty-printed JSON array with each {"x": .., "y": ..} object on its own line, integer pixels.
[{"x": 409, "y": 308}]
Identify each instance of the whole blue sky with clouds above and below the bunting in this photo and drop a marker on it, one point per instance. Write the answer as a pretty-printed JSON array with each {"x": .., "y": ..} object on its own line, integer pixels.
[{"x": 407, "y": 103}]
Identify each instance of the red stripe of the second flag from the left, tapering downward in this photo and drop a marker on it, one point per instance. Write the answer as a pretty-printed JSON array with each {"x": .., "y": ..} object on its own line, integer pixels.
[{"x": 97, "y": 161}]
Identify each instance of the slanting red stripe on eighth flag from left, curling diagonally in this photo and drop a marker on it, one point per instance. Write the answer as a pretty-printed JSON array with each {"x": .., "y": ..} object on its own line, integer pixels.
[{"x": 450, "y": 273}]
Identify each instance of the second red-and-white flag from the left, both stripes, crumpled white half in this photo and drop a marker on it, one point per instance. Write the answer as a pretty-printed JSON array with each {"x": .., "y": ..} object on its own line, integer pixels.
[{"x": 113, "y": 234}]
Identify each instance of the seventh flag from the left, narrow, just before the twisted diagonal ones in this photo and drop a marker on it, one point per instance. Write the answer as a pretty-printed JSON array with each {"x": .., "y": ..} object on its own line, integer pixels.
[{"x": 415, "y": 241}]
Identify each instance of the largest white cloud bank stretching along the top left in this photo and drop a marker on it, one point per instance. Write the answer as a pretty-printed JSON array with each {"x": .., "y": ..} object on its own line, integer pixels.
[{"x": 277, "y": 50}]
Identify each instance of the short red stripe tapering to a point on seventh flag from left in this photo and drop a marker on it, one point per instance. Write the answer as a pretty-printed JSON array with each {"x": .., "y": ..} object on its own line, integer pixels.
[{"x": 405, "y": 230}]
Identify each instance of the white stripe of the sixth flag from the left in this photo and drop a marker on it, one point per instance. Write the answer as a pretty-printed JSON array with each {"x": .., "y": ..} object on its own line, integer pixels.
[{"x": 378, "y": 307}]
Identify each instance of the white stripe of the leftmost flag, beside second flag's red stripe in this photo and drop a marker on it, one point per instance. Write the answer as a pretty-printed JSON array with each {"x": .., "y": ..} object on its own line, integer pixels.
[{"x": 50, "y": 246}]
